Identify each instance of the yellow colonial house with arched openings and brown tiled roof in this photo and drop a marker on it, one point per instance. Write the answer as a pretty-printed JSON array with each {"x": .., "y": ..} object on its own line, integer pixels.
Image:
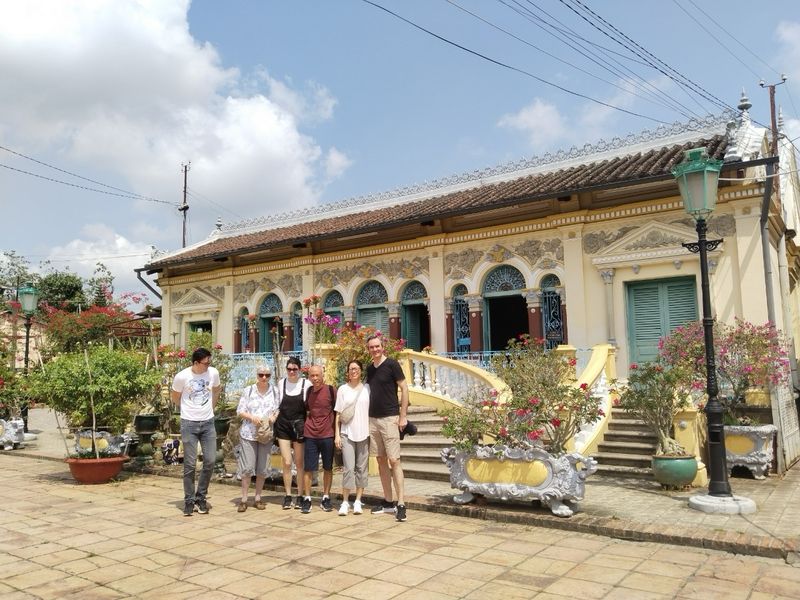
[{"x": 580, "y": 247}]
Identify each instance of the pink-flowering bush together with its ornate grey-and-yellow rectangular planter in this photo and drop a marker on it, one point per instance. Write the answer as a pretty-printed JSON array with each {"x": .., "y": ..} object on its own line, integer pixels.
[{"x": 513, "y": 443}]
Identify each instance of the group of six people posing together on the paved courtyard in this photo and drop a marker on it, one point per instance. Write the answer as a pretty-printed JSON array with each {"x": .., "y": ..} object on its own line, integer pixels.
[{"x": 308, "y": 420}]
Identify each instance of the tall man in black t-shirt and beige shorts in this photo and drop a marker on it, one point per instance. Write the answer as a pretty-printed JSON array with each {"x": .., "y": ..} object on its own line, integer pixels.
[{"x": 387, "y": 418}]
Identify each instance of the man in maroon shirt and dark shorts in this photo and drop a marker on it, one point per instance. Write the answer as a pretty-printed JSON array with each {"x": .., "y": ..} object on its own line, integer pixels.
[{"x": 318, "y": 434}]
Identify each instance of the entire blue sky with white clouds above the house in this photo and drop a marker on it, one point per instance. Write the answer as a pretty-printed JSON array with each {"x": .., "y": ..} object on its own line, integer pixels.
[{"x": 282, "y": 105}]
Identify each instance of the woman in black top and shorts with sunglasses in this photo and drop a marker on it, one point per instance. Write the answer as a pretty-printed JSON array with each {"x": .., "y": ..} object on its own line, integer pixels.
[{"x": 289, "y": 427}]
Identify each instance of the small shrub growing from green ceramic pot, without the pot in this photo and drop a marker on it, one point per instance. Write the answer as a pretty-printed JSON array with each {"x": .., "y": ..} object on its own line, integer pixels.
[{"x": 655, "y": 393}]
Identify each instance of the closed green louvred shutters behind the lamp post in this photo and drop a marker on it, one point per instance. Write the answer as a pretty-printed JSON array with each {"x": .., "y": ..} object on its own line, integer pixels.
[{"x": 654, "y": 309}]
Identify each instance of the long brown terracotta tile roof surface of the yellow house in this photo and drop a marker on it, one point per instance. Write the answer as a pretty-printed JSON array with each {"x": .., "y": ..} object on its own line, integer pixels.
[{"x": 631, "y": 168}]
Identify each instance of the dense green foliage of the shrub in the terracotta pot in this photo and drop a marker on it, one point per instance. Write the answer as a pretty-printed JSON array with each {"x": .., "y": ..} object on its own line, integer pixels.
[{"x": 97, "y": 387}]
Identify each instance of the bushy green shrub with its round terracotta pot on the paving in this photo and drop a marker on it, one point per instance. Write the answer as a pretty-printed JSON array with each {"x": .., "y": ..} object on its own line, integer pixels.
[{"x": 95, "y": 389}]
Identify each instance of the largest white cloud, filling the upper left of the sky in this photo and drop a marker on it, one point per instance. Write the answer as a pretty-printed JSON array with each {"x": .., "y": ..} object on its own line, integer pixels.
[{"x": 122, "y": 87}]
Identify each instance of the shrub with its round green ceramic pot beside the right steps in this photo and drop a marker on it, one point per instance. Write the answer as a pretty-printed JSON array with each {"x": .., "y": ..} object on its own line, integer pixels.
[{"x": 655, "y": 393}]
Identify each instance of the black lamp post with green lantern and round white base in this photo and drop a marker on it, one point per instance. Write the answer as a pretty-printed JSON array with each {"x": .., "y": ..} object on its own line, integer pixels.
[{"x": 698, "y": 177}]
